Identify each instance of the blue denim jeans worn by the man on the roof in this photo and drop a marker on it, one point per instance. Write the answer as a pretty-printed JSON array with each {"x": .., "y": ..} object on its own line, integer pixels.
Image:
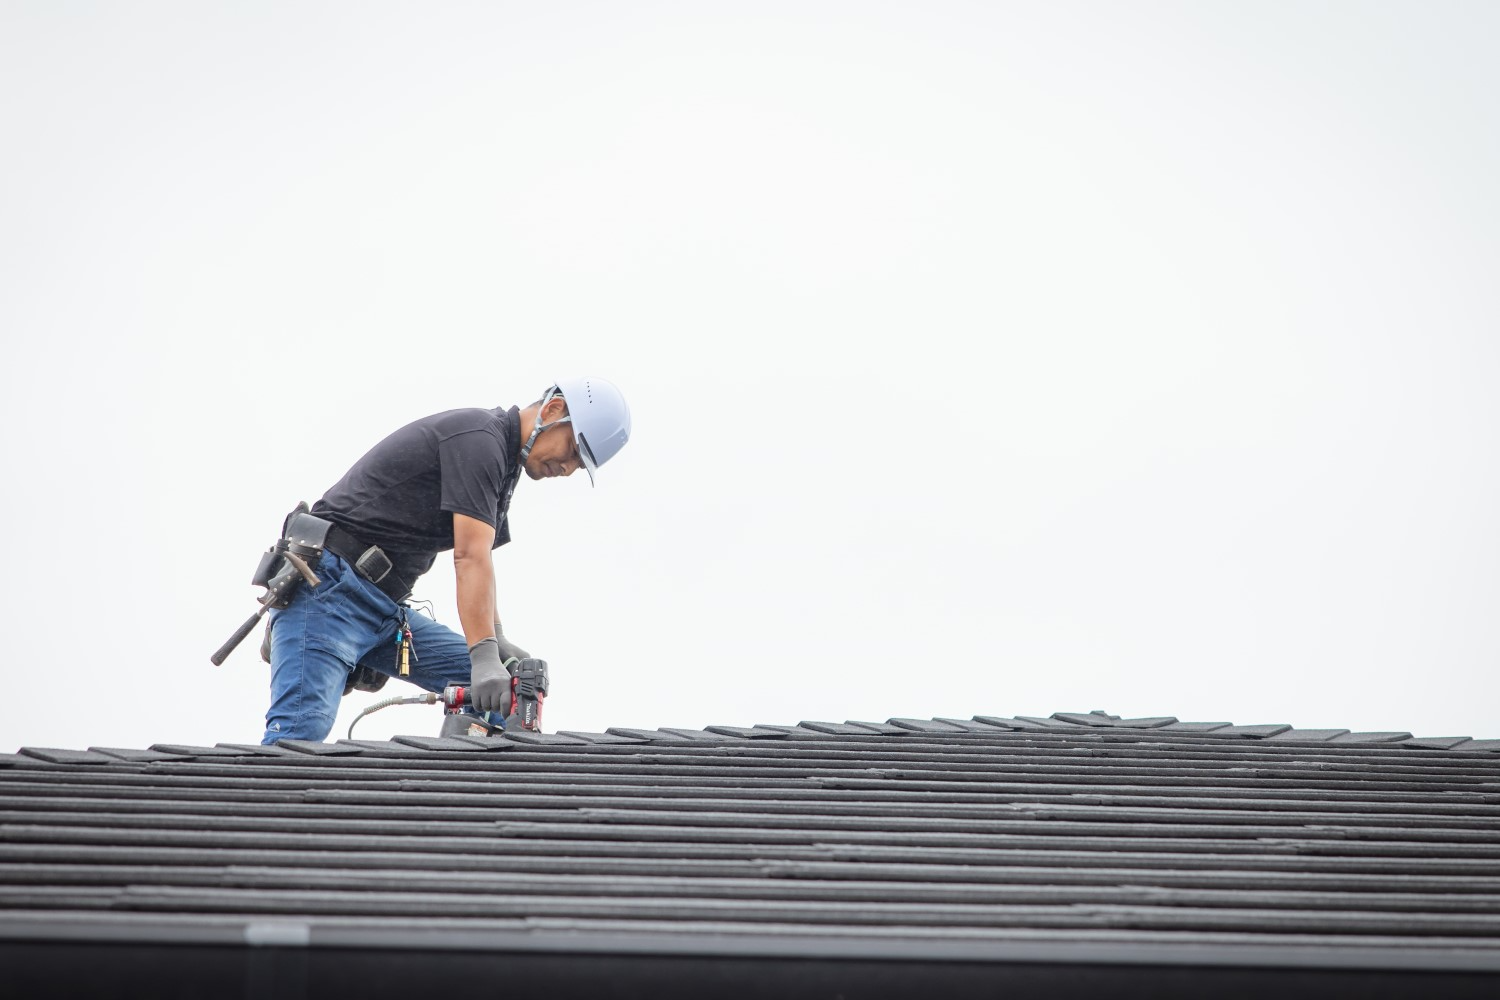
[{"x": 326, "y": 632}]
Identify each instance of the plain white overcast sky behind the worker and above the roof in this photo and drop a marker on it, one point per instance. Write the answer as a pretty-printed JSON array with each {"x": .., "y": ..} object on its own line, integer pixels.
[{"x": 985, "y": 359}]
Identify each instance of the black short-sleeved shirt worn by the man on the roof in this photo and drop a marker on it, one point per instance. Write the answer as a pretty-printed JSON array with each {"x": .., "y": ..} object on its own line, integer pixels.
[{"x": 404, "y": 493}]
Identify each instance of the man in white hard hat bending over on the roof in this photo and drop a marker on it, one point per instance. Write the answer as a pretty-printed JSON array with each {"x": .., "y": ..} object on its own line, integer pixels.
[{"x": 440, "y": 484}]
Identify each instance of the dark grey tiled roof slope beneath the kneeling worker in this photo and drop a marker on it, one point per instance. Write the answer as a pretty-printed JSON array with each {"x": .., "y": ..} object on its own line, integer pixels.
[{"x": 778, "y": 840}]
